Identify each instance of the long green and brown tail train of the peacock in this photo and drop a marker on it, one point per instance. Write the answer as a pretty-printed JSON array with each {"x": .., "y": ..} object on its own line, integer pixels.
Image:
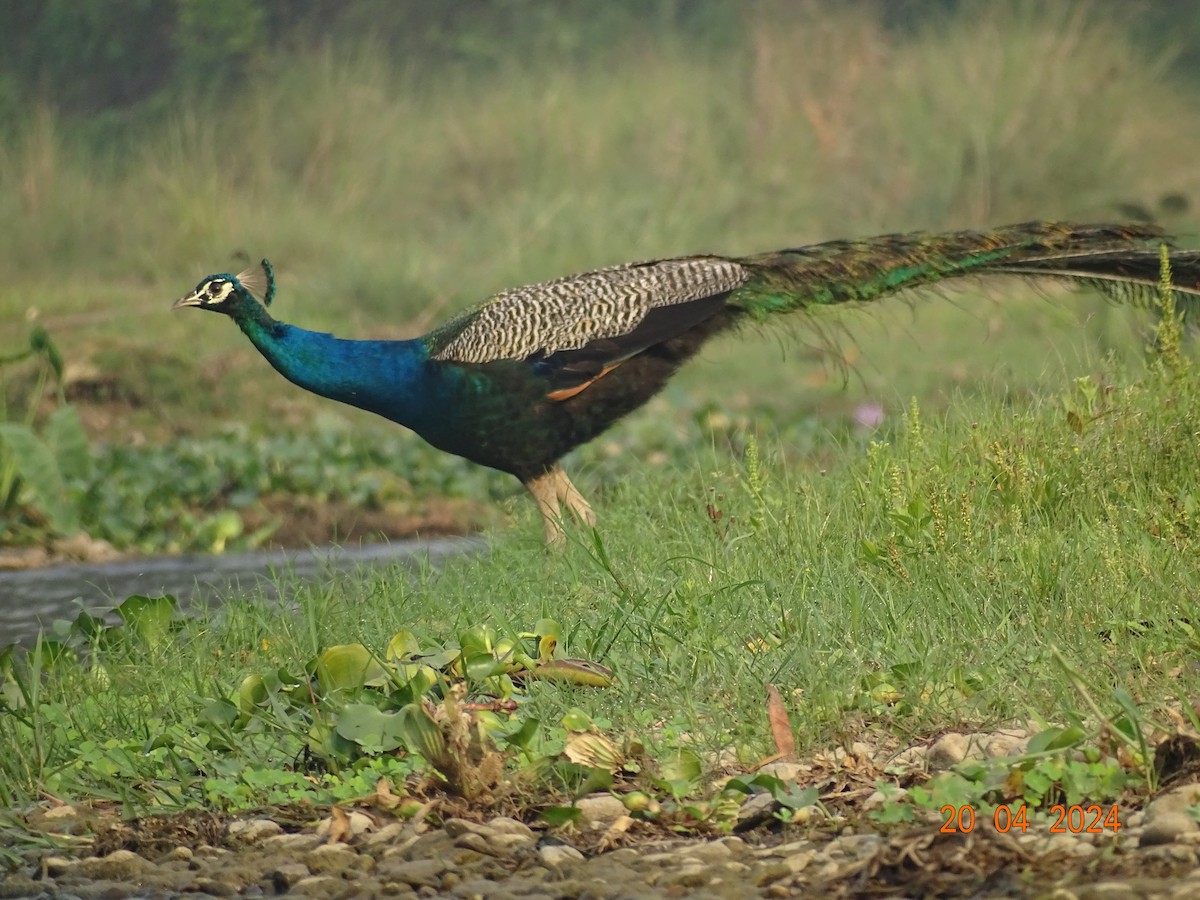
[{"x": 1120, "y": 261}]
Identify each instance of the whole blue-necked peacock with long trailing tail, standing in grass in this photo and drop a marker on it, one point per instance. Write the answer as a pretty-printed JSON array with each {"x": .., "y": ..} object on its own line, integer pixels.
[{"x": 539, "y": 370}]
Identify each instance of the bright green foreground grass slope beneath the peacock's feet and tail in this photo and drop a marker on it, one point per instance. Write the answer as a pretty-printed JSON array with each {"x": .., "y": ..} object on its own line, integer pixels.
[{"x": 957, "y": 572}]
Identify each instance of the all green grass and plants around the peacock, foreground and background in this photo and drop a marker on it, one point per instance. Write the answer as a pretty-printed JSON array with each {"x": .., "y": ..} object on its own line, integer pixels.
[{"x": 1013, "y": 545}]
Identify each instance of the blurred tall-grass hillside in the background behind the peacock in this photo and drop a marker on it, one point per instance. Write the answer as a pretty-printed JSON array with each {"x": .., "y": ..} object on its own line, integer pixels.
[{"x": 398, "y": 165}]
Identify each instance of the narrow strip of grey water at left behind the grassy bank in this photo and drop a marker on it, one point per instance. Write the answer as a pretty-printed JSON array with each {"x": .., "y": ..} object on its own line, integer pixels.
[{"x": 33, "y": 599}]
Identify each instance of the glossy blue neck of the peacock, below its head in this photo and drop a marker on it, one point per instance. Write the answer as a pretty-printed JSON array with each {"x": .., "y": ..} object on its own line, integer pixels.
[{"x": 385, "y": 377}]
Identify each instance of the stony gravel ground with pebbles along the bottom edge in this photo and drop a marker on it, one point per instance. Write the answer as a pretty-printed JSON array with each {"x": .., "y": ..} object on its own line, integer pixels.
[{"x": 369, "y": 854}]
